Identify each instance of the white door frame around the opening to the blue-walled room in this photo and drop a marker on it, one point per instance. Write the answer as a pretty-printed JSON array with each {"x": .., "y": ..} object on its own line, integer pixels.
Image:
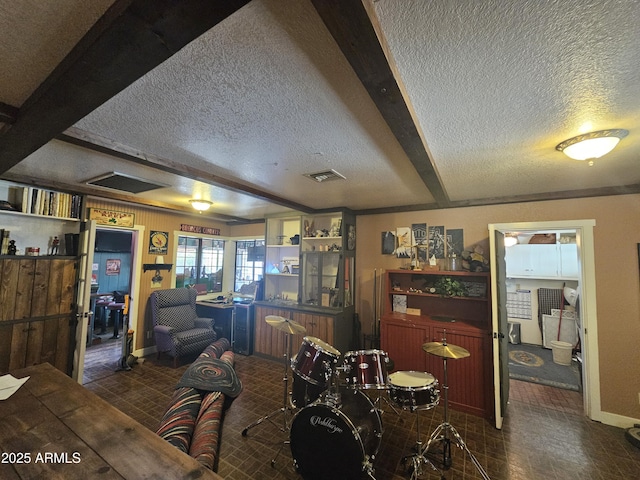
[{"x": 84, "y": 286}]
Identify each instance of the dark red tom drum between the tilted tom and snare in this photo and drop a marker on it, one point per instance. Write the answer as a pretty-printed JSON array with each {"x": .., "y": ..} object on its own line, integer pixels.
[{"x": 366, "y": 369}]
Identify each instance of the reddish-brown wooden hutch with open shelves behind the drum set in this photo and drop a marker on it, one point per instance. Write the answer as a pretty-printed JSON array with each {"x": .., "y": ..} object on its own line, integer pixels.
[{"x": 429, "y": 306}]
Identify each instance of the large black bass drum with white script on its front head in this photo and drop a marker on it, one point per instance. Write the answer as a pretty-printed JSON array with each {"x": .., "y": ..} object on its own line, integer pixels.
[{"x": 336, "y": 442}]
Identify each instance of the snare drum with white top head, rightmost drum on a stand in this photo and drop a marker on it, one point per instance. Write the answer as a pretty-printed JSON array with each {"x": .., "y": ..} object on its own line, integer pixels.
[{"x": 414, "y": 390}]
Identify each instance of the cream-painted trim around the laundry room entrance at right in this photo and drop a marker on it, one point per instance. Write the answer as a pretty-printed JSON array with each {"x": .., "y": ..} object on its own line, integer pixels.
[{"x": 588, "y": 314}]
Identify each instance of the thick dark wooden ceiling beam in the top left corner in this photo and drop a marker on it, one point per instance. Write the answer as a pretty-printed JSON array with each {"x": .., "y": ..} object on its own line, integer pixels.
[{"x": 131, "y": 38}]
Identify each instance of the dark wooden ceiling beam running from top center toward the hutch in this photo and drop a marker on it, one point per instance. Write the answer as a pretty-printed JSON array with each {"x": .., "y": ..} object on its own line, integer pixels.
[{"x": 351, "y": 27}]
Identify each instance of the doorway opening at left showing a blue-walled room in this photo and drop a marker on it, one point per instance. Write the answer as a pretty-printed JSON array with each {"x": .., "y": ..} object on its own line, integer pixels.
[{"x": 111, "y": 280}]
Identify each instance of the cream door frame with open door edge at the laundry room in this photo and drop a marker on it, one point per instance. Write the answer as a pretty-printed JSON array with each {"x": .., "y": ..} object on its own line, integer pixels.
[{"x": 587, "y": 310}]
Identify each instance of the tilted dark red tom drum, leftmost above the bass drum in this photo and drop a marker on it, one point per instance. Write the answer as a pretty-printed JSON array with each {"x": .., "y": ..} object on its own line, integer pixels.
[{"x": 315, "y": 361}]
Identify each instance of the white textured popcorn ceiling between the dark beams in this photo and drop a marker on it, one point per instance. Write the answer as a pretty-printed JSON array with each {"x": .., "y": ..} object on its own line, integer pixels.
[{"x": 267, "y": 95}]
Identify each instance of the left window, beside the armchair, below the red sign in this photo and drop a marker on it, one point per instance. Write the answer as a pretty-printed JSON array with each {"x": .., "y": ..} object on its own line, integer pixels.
[{"x": 199, "y": 261}]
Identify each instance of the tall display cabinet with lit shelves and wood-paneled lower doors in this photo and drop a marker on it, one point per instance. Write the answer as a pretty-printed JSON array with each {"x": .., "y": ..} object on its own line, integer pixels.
[{"x": 308, "y": 278}]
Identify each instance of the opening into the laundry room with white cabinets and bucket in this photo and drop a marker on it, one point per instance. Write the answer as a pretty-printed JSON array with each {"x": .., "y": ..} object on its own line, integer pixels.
[{"x": 544, "y": 345}]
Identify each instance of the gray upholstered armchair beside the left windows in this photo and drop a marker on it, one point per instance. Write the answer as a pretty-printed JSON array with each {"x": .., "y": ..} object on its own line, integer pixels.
[{"x": 177, "y": 328}]
